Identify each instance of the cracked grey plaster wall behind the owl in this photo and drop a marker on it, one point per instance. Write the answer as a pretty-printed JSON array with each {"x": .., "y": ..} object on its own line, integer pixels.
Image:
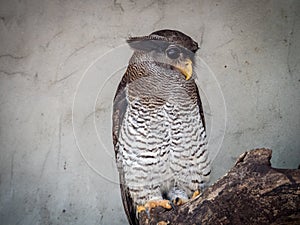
[{"x": 47, "y": 176}]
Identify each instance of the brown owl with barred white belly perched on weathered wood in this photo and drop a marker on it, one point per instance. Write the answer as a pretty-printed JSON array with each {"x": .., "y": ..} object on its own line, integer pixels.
[{"x": 159, "y": 133}]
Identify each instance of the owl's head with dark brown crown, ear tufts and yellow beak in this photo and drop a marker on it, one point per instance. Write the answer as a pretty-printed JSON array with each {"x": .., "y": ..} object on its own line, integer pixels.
[{"x": 170, "y": 48}]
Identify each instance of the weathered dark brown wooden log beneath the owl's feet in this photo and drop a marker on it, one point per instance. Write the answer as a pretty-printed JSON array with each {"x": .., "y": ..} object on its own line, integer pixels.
[{"x": 252, "y": 192}]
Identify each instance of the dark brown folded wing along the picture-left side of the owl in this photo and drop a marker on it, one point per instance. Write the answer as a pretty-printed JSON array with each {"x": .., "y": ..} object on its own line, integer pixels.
[{"x": 119, "y": 109}]
